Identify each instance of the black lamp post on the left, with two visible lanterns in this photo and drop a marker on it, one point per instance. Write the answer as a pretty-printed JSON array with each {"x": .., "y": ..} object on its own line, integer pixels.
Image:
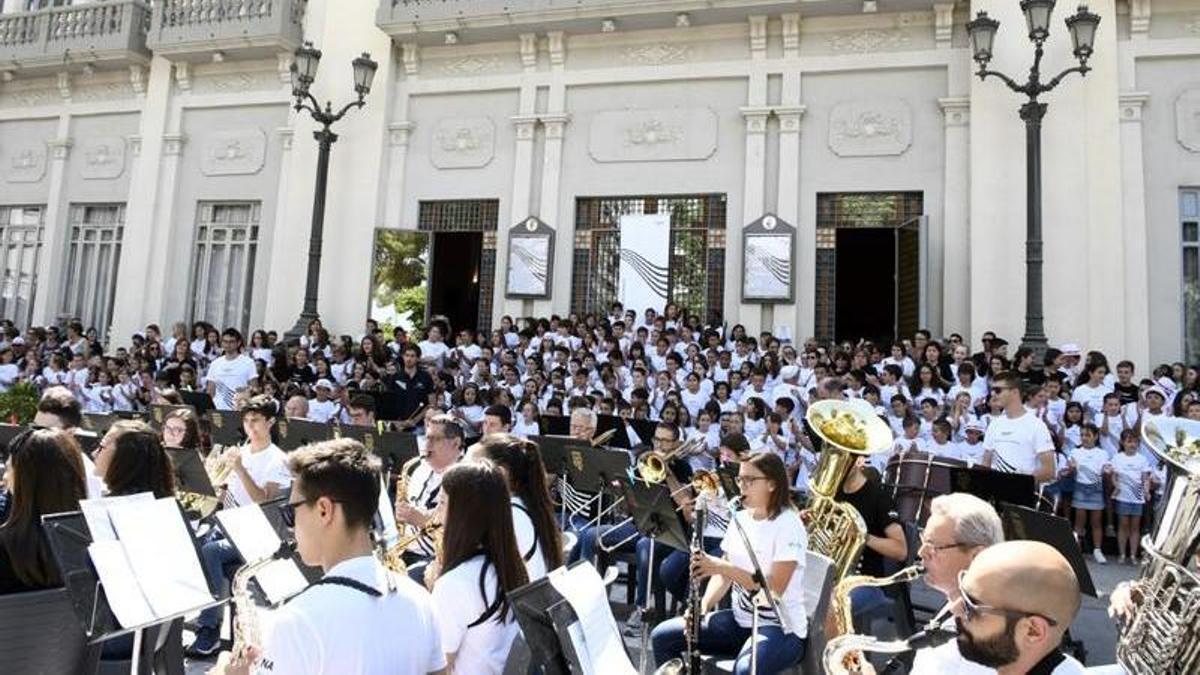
[{"x": 304, "y": 73}]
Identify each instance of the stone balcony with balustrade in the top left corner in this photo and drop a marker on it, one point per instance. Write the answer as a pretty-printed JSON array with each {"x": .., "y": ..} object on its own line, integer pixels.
[{"x": 94, "y": 34}]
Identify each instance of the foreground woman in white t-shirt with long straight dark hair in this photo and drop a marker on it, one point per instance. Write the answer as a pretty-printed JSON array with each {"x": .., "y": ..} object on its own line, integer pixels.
[{"x": 477, "y": 568}]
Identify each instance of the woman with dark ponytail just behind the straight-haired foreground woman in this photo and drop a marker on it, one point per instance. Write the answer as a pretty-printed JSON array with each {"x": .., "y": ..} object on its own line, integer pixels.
[{"x": 539, "y": 540}]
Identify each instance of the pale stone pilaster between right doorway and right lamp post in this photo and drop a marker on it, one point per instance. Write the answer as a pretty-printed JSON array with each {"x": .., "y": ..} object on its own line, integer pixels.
[{"x": 957, "y": 219}]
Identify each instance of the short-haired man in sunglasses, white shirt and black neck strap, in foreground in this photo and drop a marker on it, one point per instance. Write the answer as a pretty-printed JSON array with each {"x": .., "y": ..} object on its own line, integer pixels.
[{"x": 346, "y": 623}]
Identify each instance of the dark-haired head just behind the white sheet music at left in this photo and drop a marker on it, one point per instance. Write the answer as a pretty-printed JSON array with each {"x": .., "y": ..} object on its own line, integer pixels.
[{"x": 131, "y": 461}]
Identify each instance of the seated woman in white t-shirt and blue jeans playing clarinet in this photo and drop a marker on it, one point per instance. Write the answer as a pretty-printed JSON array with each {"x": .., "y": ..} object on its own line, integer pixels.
[{"x": 779, "y": 541}]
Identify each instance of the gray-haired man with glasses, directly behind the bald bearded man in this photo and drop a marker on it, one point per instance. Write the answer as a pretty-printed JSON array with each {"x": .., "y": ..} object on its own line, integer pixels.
[{"x": 961, "y": 527}]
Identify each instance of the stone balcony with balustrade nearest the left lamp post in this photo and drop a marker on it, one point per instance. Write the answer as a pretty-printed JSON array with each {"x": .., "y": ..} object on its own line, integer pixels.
[{"x": 242, "y": 27}]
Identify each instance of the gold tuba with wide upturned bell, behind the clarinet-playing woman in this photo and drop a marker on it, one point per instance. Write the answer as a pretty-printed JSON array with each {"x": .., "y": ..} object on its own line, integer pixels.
[{"x": 849, "y": 431}]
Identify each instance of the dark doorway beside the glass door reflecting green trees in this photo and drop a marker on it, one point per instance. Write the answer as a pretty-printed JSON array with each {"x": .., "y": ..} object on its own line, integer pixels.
[{"x": 454, "y": 286}]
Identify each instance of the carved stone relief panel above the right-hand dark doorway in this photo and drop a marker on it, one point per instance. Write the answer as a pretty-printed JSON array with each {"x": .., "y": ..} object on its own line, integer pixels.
[{"x": 866, "y": 129}]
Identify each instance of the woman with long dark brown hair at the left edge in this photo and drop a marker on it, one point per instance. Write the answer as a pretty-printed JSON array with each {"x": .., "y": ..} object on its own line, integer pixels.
[{"x": 45, "y": 476}]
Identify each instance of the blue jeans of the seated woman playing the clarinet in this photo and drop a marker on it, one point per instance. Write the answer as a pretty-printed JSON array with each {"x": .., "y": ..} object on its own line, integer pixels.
[{"x": 721, "y": 636}]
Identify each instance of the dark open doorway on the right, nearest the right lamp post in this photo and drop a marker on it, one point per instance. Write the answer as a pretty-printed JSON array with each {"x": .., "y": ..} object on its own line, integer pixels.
[{"x": 866, "y": 284}]
